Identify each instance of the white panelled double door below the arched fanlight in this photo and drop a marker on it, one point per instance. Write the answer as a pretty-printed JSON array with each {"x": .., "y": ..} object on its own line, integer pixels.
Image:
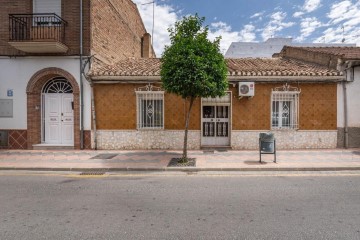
[{"x": 59, "y": 119}]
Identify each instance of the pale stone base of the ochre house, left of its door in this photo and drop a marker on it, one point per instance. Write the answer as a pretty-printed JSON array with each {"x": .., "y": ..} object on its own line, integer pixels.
[{"x": 133, "y": 139}]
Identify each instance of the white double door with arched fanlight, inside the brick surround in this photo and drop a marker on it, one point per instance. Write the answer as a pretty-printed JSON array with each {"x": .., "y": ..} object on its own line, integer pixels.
[{"x": 57, "y": 112}]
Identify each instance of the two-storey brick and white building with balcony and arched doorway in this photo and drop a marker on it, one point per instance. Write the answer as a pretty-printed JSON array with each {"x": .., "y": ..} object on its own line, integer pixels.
[{"x": 45, "y": 45}]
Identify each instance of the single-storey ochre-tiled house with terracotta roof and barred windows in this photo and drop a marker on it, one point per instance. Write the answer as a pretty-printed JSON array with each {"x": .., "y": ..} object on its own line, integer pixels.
[{"x": 296, "y": 100}]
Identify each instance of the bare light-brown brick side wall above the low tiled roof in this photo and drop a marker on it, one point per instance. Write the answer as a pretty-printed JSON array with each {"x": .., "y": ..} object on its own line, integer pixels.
[{"x": 116, "y": 30}]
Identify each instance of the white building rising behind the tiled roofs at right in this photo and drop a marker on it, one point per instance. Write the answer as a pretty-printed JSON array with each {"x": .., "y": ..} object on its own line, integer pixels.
[{"x": 269, "y": 47}]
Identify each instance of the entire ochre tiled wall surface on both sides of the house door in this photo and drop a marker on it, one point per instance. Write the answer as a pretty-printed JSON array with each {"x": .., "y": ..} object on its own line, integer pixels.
[{"x": 116, "y": 108}]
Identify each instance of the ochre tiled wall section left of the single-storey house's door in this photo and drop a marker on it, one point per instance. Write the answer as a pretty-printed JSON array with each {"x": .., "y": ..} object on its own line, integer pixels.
[{"x": 116, "y": 108}]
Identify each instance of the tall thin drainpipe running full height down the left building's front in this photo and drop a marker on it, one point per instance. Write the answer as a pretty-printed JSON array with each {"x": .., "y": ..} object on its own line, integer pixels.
[{"x": 81, "y": 80}]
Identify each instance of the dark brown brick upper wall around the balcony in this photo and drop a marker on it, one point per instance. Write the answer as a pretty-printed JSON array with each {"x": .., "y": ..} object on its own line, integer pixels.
[{"x": 70, "y": 13}]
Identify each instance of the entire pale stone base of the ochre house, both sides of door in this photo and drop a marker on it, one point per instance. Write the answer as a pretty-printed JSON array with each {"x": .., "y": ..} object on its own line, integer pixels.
[{"x": 247, "y": 140}]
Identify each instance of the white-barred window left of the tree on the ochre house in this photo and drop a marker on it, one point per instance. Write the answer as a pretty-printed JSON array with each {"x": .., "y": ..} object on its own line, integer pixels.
[{"x": 150, "y": 108}]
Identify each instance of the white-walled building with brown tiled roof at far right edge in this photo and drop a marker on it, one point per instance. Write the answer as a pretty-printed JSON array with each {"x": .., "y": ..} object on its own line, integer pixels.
[{"x": 347, "y": 60}]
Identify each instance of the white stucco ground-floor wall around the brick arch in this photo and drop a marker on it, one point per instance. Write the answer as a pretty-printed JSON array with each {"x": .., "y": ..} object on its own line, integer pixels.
[{"x": 15, "y": 74}]
